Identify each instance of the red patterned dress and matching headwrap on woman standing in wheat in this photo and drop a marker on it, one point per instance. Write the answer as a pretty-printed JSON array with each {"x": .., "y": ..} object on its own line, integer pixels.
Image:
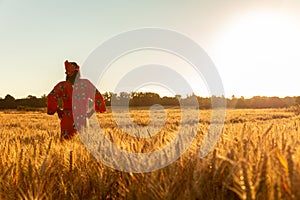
[{"x": 79, "y": 95}]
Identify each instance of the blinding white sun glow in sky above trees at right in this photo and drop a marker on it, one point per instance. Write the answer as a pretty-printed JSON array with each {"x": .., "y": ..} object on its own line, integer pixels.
[{"x": 260, "y": 47}]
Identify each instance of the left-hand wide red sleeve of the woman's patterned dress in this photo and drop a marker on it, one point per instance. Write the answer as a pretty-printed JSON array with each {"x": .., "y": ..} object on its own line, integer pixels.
[{"x": 52, "y": 99}]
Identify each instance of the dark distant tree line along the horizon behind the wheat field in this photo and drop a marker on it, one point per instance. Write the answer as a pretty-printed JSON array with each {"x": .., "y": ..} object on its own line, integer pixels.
[{"x": 135, "y": 99}]
